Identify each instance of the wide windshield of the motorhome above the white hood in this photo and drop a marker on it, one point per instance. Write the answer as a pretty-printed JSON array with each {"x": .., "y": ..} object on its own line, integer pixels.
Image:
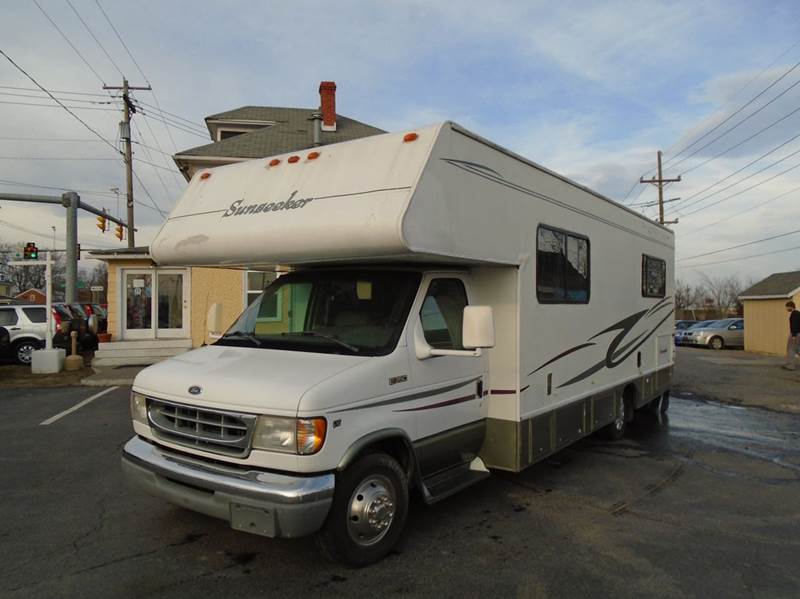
[{"x": 347, "y": 312}]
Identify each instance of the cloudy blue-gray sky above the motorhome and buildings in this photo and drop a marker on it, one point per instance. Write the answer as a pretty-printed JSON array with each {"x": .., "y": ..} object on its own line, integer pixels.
[{"x": 591, "y": 90}]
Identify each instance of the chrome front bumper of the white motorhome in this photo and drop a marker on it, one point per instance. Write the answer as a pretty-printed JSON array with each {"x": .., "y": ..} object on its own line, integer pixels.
[{"x": 256, "y": 501}]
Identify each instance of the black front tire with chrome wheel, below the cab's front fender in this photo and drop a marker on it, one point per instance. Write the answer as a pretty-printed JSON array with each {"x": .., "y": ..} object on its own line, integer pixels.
[{"x": 375, "y": 486}]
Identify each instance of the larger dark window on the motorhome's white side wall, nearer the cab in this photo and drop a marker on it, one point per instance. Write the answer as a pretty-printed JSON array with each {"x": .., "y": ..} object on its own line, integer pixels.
[{"x": 562, "y": 267}]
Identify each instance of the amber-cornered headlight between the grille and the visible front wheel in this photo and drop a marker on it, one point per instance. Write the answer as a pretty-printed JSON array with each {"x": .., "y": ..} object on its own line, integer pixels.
[{"x": 304, "y": 436}]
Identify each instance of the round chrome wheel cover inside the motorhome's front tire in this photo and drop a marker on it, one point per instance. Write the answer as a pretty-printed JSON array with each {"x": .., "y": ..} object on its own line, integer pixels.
[{"x": 371, "y": 510}]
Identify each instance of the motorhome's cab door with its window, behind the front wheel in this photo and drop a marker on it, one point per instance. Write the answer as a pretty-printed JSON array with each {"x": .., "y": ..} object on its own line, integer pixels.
[{"x": 451, "y": 416}]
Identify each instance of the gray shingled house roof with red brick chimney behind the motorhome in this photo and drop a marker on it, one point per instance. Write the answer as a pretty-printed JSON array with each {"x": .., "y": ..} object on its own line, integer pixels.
[{"x": 259, "y": 131}]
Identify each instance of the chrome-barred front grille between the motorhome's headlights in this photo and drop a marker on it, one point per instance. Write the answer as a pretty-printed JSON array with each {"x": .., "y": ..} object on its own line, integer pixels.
[{"x": 212, "y": 430}]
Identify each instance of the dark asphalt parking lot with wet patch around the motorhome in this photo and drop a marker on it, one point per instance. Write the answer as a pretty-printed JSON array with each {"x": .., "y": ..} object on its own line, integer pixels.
[{"x": 704, "y": 503}]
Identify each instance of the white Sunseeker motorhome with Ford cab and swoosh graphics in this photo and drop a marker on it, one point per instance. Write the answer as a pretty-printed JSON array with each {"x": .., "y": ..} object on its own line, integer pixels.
[{"x": 447, "y": 308}]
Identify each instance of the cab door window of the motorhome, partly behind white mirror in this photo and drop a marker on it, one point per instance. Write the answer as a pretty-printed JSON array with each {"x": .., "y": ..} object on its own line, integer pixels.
[{"x": 442, "y": 313}]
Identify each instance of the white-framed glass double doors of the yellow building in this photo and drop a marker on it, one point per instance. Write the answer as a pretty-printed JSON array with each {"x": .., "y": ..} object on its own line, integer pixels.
[{"x": 155, "y": 304}]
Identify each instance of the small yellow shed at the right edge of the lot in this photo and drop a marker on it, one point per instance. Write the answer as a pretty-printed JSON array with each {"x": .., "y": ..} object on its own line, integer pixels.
[{"x": 766, "y": 321}]
